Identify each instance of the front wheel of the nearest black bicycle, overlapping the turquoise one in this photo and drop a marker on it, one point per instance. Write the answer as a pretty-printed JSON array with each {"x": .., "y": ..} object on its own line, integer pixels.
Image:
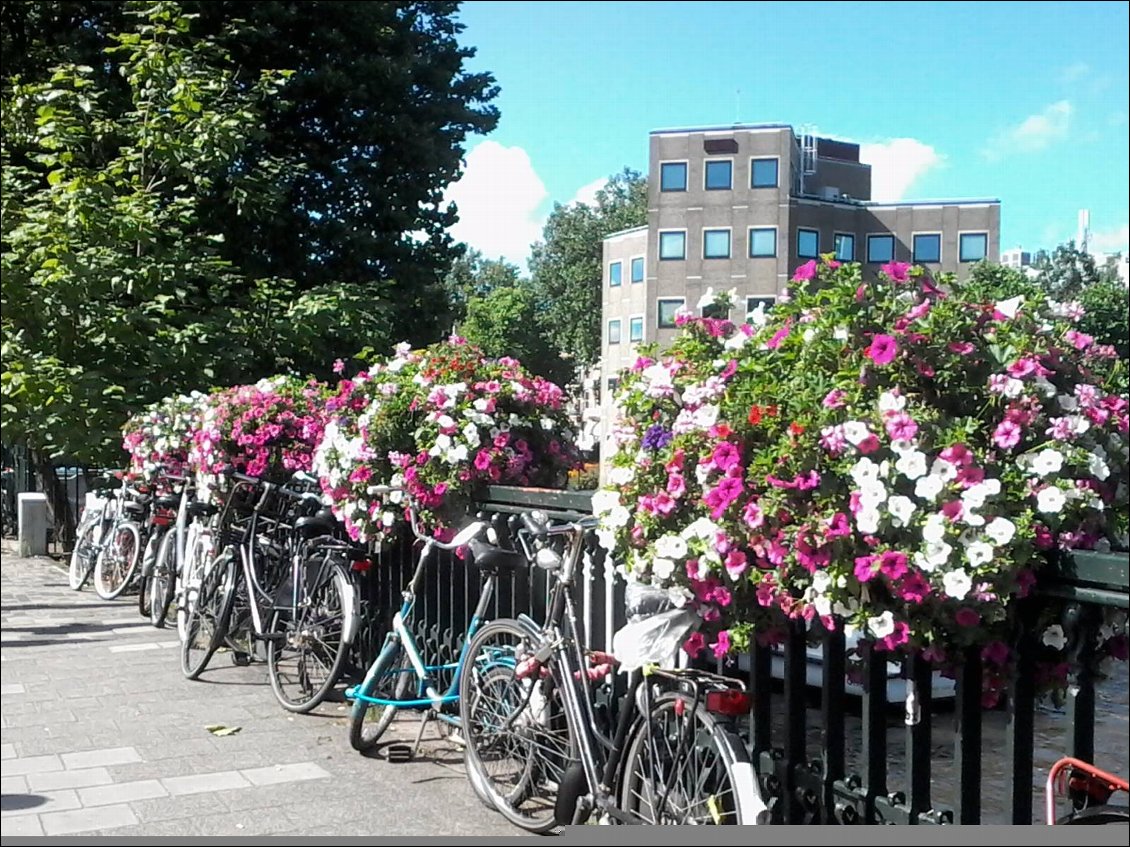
[{"x": 518, "y": 744}]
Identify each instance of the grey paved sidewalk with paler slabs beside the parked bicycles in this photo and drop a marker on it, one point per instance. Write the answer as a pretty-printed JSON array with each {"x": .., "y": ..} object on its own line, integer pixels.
[{"x": 102, "y": 736}]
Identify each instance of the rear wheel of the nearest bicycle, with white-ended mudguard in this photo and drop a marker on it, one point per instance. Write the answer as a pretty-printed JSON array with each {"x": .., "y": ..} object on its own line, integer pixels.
[{"x": 683, "y": 766}]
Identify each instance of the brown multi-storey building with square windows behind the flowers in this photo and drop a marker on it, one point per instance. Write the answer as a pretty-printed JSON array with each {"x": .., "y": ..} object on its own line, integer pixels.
[{"x": 742, "y": 207}]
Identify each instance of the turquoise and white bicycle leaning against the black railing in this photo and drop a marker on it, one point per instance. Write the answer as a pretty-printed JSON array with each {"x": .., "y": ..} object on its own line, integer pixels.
[{"x": 403, "y": 677}]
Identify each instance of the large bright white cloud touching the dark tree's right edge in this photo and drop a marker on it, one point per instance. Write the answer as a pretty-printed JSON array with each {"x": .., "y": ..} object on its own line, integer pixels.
[{"x": 500, "y": 199}]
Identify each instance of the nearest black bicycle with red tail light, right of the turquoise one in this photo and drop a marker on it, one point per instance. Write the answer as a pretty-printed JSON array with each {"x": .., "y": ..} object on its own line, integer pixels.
[{"x": 536, "y": 741}]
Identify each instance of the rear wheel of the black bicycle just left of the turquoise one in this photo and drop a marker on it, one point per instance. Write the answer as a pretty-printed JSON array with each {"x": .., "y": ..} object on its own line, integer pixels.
[{"x": 308, "y": 648}]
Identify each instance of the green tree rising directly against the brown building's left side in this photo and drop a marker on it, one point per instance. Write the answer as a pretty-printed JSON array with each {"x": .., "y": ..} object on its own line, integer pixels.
[{"x": 567, "y": 264}]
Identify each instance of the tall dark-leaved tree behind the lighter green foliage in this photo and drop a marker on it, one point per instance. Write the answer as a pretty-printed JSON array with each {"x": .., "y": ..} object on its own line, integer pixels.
[{"x": 376, "y": 115}]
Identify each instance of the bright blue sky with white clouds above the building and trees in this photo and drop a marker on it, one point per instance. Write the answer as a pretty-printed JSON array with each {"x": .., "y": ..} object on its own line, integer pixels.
[{"x": 1027, "y": 103}]
